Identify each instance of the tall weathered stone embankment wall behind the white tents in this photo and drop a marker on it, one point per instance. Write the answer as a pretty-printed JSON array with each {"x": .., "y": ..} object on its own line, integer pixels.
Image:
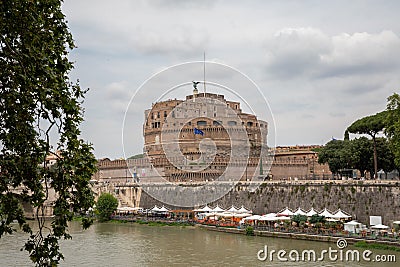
[{"x": 359, "y": 198}]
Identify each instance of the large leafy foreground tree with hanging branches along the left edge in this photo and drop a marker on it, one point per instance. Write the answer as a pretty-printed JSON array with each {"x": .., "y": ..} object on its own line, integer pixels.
[{"x": 40, "y": 114}]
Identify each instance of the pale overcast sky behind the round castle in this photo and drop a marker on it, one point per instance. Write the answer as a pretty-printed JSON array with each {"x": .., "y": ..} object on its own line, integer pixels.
[{"x": 319, "y": 64}]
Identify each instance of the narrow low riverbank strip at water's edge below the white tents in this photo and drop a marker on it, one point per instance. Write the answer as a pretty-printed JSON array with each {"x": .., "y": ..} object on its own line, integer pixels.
[{"x": 303, "y": 236}]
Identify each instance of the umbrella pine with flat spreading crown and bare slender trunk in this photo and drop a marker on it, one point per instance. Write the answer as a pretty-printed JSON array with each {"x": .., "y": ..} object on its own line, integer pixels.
[{"x": 370, "y": 125}]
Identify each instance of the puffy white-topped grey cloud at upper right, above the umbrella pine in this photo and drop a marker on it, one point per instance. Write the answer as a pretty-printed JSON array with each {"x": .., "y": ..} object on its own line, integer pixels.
[{"x": 309, "y": 52}]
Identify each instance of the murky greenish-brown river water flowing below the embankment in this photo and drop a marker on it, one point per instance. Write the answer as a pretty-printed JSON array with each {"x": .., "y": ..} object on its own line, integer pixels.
[{"x": 127, "y": 244}]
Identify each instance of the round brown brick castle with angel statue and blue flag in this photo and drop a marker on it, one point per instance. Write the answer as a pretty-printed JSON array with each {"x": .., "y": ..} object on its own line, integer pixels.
[{"x": 198, "y": 138}]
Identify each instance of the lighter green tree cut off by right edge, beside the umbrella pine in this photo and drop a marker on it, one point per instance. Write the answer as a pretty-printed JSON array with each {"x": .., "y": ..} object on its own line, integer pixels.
[{"x": 392, "y": 129}]
